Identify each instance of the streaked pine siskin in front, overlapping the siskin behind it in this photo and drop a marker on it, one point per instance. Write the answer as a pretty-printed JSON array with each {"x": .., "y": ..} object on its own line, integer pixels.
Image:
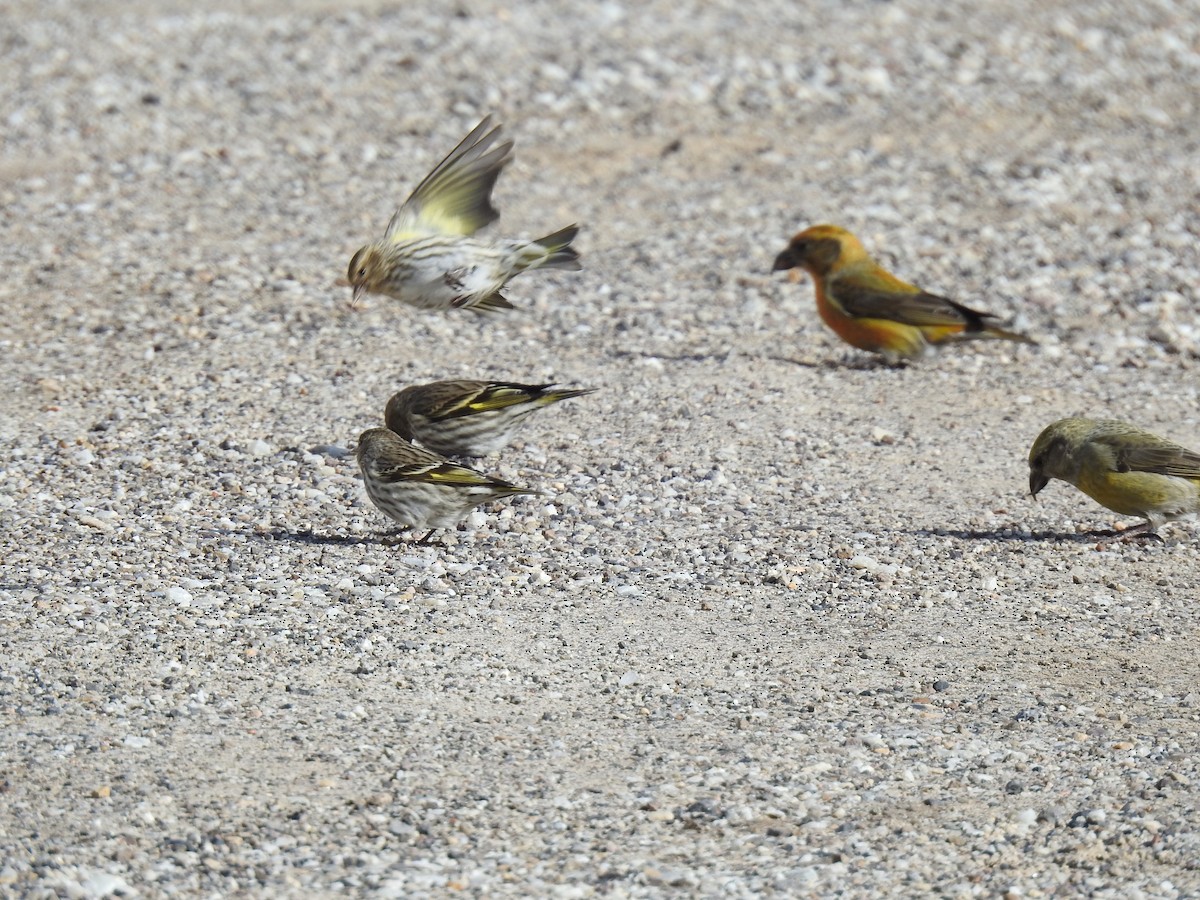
[{"x": 419, "y": 489}]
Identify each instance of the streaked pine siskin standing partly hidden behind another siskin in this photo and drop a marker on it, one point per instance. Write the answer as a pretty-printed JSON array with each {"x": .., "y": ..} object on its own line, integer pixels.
[{"x": 467, "y": 418}]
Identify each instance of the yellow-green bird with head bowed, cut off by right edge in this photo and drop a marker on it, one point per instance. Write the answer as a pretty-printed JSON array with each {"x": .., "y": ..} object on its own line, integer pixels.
[{"x": 1123, "y": 467}]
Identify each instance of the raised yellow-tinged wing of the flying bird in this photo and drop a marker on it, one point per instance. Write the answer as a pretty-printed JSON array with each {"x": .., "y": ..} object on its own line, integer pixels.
[{"x": 457, "y": 197}]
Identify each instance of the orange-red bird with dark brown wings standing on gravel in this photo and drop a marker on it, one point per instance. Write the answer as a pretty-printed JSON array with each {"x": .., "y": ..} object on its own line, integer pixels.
[{"x": 872, "y": 309}]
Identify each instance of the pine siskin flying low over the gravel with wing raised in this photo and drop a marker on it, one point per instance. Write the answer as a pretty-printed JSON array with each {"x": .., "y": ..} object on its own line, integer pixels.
[{"x": 428, "y": 257}]
